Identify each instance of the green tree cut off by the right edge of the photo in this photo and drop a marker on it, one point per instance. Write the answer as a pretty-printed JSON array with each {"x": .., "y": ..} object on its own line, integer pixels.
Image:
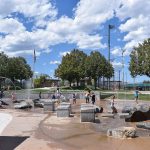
[{"x": 140, "y": 59}]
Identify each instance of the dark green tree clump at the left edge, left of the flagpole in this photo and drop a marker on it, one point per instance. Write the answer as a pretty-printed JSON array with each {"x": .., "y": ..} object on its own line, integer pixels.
[{"x": 14, "y": 68}]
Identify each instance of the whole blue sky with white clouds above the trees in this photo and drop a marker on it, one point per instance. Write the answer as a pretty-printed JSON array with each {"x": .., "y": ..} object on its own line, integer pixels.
[{"x": 55, "y": 27}]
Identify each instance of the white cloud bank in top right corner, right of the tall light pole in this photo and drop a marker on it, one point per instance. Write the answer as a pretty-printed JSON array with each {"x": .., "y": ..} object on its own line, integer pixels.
[{"x": 137, "y": 25}]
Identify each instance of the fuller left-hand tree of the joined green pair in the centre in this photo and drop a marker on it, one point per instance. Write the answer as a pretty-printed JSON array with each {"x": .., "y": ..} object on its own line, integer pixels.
[{"x": 72, "y": 67}]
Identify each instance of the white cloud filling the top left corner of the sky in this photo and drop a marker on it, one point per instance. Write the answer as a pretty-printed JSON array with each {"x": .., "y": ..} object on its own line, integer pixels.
[{"x": 40, "y": 10}]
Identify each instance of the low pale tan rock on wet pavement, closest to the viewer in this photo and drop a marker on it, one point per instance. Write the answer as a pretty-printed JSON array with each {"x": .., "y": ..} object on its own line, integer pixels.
[{"x": 122, "y": 132}]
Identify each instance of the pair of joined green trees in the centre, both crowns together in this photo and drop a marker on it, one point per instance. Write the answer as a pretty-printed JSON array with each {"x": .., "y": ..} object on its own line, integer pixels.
[{"x": 77, "y": 65}]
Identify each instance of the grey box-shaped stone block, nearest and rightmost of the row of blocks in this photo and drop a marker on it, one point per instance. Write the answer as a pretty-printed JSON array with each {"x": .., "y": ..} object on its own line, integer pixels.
[{"x": 87, "y": 113}]
